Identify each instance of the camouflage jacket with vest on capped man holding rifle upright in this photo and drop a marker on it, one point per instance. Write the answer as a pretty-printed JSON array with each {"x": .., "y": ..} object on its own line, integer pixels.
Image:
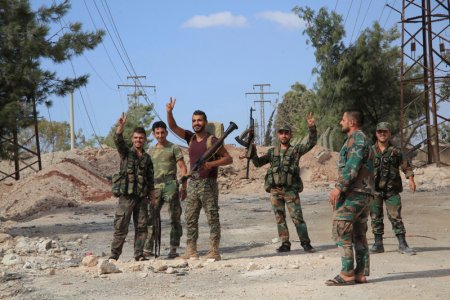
[{"x": 284, "y": 170}]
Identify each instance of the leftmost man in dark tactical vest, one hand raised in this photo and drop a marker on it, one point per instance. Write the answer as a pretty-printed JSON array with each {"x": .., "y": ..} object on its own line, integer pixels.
[{"x": 133, "y": 186}]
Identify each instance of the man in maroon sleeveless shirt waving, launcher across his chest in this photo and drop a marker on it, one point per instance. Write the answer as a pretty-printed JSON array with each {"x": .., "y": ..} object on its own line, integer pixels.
[{"x": 202, "y": 188}]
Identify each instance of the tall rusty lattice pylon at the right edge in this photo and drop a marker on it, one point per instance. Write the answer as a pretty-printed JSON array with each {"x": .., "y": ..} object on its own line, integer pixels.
[{"x": 425, "y": 46}]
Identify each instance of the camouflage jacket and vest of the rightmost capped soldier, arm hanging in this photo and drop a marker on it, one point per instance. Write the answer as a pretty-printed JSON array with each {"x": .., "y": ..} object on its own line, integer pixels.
[{"x": 387, "y": 164}]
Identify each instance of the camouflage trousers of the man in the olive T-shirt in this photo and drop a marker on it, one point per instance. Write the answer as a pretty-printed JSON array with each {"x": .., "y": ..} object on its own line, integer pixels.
[{"x": 168, "y": 193}]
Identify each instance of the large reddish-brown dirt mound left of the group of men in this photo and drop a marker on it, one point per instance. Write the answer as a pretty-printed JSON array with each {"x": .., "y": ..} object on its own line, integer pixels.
[{"x": 64, "y": 184}]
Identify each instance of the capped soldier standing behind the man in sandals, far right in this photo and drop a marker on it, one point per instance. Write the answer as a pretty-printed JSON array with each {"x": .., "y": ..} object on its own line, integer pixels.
[{"x": 388, "y": 186}]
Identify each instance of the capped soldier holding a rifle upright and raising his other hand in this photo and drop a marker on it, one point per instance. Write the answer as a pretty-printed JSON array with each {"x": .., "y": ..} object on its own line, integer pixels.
[{"x": 284, "y": 184}]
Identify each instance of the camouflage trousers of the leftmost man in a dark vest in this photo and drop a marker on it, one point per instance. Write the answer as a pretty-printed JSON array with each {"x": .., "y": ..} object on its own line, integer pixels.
[{"x": 130, "y": 206}]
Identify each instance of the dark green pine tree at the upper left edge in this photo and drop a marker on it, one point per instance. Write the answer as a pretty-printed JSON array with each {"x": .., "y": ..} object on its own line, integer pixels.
[{"x": 26, "y": 39}]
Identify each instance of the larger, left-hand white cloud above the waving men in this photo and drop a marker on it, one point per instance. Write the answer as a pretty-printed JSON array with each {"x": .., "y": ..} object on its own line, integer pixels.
[{"x": 223, "y": 19}]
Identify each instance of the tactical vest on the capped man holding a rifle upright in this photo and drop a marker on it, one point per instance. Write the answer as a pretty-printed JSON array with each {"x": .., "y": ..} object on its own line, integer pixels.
[{"x": 284, "y": 170}]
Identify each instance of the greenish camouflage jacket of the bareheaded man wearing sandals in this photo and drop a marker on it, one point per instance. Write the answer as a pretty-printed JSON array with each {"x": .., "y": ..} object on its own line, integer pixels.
[{"x": 356, "y": 165}]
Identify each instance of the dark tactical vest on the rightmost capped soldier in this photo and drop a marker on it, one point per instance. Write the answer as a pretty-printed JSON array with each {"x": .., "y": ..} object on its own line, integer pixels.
[{"x": 387, "y": 169}]
